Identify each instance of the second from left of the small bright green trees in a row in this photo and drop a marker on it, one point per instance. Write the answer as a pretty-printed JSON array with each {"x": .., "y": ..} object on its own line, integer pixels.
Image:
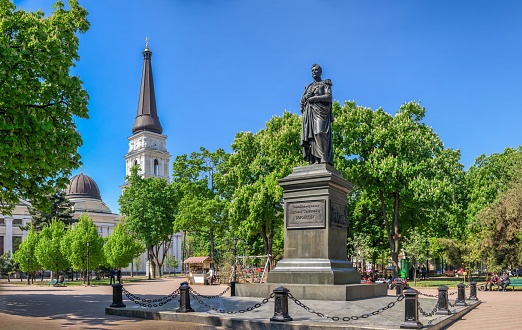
[{"x": 48, "y": 250}]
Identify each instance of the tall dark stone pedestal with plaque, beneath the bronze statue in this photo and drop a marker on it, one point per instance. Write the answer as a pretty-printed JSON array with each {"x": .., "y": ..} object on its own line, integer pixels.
[{"x": 315, "y": 198}]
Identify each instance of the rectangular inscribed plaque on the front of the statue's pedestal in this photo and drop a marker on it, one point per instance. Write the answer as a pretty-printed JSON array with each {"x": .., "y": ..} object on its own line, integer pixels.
[{"x": 306, "y": 214}]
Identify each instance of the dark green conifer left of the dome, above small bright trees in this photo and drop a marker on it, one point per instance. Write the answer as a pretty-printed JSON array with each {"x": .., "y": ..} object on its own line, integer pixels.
[{"x": 61, "y": 209}]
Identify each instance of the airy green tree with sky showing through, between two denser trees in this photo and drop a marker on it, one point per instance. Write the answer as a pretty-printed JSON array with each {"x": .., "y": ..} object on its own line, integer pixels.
[{"x": 199, "y": 195}]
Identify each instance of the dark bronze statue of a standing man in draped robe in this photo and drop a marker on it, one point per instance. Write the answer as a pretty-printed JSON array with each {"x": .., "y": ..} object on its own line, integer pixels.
[{"x": 316, "y": 107}]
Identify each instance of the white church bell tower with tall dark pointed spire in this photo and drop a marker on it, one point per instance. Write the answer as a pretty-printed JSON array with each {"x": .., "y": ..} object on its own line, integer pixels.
[{"x": 147, "y": 144}]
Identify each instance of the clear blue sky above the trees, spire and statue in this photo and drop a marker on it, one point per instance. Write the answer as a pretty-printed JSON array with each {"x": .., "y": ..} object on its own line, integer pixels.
[{"x": 221, "y": 67}]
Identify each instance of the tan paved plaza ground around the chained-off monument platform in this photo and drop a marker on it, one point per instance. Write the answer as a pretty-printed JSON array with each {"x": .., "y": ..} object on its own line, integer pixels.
[{"x": 80, "y": 307}]
